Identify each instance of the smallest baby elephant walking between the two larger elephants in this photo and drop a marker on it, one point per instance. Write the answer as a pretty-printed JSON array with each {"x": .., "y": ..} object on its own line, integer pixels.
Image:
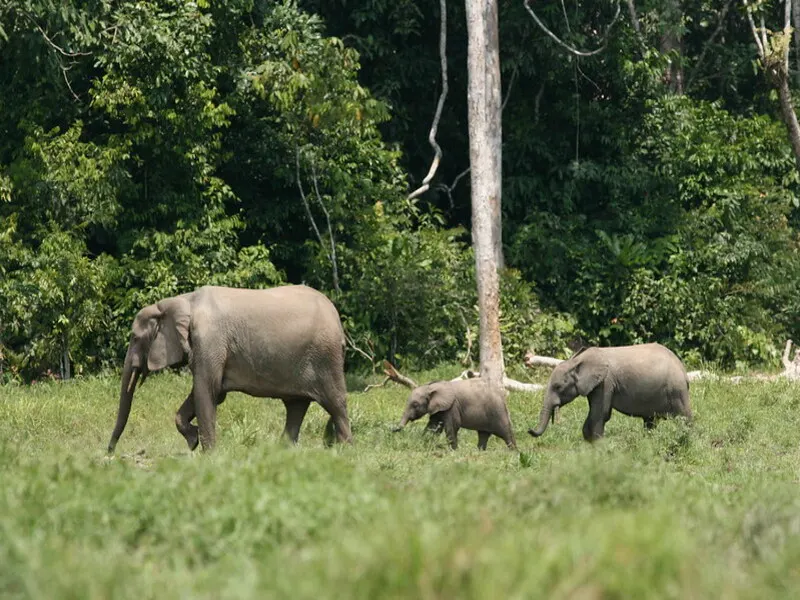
[{"x": 469, "y": 403}]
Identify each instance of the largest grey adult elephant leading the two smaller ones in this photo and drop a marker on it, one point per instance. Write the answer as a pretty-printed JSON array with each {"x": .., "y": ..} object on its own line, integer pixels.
[{"x": 285, "y": 342}]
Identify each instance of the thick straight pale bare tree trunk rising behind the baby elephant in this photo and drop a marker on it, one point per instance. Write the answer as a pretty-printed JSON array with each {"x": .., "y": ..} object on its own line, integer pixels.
[{"x": 485, "y": 138}]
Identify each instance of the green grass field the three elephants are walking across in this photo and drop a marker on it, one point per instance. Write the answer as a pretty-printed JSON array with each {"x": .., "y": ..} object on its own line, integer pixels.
[{"x": 707, "y": 511}]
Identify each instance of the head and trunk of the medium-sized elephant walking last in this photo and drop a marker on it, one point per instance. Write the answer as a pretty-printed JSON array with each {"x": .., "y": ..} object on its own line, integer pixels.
[{"x": 575, "y": 377}]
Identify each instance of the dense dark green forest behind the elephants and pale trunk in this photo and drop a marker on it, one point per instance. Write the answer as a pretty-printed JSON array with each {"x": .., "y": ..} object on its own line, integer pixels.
[{"x": 650, "y": 189}]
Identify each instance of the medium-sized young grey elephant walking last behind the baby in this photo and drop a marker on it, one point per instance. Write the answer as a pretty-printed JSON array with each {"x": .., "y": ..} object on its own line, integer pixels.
[{"x": 646, "y": 381}]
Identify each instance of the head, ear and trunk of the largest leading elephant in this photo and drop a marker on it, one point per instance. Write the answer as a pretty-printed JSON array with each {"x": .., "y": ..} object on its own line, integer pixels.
[{"x": 159, "y": 338}]
